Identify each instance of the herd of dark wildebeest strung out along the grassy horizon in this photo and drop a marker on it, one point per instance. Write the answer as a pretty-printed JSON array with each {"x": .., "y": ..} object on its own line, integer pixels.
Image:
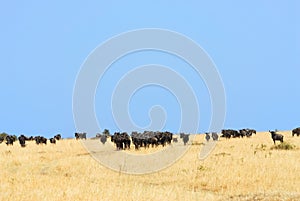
[{"x": 123, "y": 140}]
